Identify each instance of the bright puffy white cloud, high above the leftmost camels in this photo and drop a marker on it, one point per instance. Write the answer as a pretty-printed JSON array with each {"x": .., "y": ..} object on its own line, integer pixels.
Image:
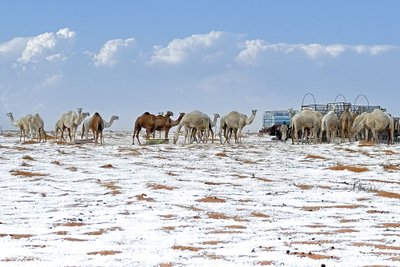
[{"x": 45, "y": 45}]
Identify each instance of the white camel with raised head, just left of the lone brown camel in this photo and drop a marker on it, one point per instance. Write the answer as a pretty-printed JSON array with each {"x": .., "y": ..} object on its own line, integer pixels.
[{"x": 70, "y": 121}]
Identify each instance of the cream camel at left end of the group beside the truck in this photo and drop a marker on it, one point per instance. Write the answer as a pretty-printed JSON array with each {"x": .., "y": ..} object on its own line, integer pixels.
[{"x": 305, "y": 120}]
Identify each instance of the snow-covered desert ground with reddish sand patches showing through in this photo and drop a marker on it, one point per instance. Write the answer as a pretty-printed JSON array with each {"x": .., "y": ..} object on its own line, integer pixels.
[{"x": 259, "y": 203}]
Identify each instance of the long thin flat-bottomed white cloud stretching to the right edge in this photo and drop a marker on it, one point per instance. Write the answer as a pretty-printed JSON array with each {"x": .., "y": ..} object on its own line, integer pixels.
[{"x": 253, "y": 49}]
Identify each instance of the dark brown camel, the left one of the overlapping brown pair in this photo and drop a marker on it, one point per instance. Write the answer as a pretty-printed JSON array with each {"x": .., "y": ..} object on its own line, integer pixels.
[{"x": 150, "y": 122}]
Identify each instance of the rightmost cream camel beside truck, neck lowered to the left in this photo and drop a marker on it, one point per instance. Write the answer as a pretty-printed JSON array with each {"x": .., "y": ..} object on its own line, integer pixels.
[{"x": 376, "y": 121}]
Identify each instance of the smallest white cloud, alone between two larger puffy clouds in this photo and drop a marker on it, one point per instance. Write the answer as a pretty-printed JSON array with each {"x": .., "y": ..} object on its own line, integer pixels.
[{"x": 108, "y": 54}]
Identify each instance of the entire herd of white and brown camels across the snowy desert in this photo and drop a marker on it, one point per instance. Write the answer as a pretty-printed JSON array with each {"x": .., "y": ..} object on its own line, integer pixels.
[{"x": 198, "y": 127}]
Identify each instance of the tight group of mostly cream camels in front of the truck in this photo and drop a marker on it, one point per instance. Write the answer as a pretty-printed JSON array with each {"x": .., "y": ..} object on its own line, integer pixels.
[{"x": 350, "y": 125}]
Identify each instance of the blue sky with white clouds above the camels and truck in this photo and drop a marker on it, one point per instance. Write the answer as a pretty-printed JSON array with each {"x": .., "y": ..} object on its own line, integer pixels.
[{"x": 127, "y": 57}]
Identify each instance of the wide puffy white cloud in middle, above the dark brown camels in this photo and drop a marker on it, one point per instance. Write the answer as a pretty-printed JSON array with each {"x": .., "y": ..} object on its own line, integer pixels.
[{"x": 178, "y": 50}]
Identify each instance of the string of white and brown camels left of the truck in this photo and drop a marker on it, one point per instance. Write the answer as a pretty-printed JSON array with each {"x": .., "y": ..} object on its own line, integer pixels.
[{"x": 198, "y": 126}]
